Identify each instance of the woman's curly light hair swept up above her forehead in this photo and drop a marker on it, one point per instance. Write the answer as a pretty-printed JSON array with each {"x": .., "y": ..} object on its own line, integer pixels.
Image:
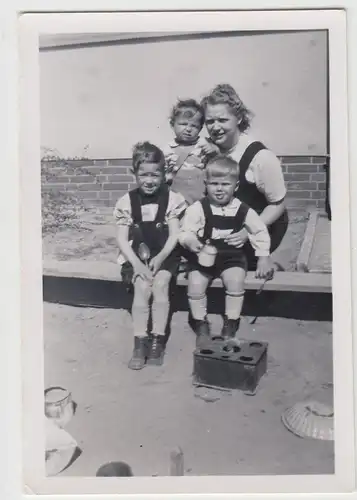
[{"x": 225, "y": 94}]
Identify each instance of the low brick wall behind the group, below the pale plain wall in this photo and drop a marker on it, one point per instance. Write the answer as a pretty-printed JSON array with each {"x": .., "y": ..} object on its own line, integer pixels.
[{"x": 102, "y": 182}]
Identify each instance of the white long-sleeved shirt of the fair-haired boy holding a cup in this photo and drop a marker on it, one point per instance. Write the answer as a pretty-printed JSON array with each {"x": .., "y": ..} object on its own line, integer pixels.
[{"x": 193, "y": 222}]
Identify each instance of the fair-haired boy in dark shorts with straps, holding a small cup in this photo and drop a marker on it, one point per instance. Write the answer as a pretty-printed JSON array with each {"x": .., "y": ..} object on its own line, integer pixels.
[{"x": 211, "y": 220}]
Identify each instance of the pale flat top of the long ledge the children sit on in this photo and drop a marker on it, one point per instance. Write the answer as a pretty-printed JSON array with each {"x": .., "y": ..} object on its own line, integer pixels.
[{"x": 108, "y": 271}]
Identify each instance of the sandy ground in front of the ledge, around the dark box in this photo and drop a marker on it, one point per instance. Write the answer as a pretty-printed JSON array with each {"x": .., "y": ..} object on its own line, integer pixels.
[{"x": 138, "y": 417}]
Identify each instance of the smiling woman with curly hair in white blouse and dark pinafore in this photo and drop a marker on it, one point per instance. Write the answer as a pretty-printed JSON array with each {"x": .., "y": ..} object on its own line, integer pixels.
[{"x": 261, "y": 181}]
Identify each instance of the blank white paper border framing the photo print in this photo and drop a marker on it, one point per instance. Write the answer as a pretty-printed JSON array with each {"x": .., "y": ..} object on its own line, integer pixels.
[{"x": 31, "y": 26}]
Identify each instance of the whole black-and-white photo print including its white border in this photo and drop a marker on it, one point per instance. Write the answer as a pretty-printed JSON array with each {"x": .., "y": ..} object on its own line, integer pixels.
[{"x": 186, "y": 212}]
